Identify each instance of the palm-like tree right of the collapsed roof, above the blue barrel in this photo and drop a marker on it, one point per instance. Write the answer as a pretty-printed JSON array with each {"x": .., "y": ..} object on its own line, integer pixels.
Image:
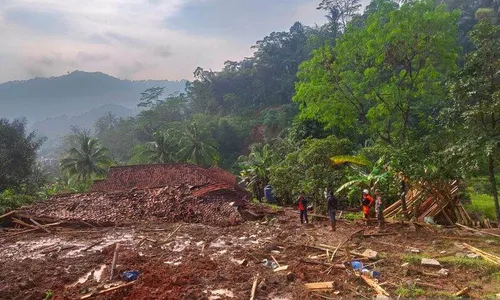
[{"x": 255, "y": 169}]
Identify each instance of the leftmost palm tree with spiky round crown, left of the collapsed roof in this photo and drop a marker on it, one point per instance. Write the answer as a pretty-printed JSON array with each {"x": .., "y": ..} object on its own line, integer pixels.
[{"x": 86, "y": 159}]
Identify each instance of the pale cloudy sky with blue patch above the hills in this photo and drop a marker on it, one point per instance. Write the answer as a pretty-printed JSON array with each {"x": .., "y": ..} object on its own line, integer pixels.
[{"x": 137, "y": 39}]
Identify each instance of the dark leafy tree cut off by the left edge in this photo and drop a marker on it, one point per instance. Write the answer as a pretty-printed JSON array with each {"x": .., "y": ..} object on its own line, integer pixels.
[{"x": 18, "y": 150}]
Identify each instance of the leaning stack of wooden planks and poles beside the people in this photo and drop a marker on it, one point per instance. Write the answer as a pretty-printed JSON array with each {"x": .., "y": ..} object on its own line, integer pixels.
[{"x": 438, "y": 200}]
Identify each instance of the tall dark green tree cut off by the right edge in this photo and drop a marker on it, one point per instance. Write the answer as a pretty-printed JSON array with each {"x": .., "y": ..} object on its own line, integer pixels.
[{"x": 477, "y": 96}]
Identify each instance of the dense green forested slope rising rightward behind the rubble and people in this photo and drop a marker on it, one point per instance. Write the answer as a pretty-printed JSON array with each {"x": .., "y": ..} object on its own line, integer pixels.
[{"x": 405, "y": 87}]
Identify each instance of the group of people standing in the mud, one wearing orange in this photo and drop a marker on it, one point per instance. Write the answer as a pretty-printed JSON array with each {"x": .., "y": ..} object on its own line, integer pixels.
[{"x": 367, "y": 202}]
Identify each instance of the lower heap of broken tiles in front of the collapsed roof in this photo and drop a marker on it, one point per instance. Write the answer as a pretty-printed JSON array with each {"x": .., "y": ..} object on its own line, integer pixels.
[{"x": 170, "y": 204}]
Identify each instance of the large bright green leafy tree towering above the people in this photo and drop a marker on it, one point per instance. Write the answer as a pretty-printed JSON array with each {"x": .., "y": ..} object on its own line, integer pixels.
[{"x": 385, "y": 79}]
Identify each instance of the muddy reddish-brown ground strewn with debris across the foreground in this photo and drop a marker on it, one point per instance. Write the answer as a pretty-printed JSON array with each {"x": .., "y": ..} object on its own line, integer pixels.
[{"x": 200, "y": 261}]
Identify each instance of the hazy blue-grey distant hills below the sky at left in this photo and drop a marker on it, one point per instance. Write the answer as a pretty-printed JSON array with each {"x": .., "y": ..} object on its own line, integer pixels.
[{"x": 73, "y": 94}]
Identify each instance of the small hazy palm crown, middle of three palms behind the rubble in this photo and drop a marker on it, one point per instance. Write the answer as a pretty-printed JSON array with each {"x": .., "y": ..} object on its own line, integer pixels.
[{"x": 161, "y": 150}]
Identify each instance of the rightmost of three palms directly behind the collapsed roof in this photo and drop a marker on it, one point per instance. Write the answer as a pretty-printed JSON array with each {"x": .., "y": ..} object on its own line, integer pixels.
[{"x": 198, "y": 147}]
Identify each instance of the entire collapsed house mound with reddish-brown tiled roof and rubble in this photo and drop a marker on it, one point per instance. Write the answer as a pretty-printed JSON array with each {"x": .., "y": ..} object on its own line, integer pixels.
[{"x": 148, "y": 193}]
